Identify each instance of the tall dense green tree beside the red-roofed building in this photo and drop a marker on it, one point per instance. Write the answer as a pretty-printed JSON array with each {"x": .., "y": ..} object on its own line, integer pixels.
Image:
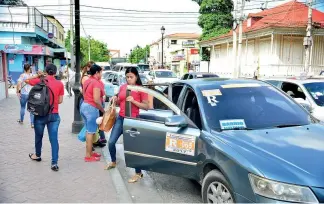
[{"x": 215, "y": 17}]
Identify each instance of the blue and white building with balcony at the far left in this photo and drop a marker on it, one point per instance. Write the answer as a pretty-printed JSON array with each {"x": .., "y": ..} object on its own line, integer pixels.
[{"x": 28, "y": 36}]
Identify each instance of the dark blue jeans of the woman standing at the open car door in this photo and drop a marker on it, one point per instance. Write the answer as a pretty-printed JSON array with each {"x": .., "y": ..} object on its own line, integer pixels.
[{"x": 116, "y": 132}]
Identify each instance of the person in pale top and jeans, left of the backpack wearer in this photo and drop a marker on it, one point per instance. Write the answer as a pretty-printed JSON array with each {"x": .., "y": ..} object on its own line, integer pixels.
[{"x": 23, "y": 90}]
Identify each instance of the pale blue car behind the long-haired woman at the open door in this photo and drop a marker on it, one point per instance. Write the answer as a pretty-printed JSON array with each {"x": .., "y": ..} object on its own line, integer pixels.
[{"x": 114, "y": 80}]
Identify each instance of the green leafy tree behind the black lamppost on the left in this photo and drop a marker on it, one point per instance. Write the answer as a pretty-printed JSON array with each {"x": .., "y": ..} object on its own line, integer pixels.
[{"x": 98, "y": 50}]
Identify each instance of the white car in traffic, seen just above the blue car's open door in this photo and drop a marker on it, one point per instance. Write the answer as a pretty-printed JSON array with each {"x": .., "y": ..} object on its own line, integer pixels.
[{"x": 162, "y": 76}]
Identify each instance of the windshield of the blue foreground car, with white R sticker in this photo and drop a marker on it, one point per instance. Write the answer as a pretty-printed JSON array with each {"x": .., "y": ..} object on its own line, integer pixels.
[{"x": 259, "y": 106}]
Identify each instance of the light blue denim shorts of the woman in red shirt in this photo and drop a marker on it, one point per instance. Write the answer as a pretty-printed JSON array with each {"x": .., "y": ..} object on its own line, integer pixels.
[{"x": 89, "y": 115}]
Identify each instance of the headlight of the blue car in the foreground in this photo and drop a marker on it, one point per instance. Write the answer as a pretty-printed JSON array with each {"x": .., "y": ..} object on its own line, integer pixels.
[{"x": 281, "y": 191}]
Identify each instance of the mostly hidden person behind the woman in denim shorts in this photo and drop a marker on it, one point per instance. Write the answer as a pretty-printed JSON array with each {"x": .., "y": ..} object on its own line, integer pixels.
[{"x": 85, "y": 76}]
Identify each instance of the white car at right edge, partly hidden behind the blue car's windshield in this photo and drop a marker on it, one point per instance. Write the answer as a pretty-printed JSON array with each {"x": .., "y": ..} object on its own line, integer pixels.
[{"x": 308, "y": 92}]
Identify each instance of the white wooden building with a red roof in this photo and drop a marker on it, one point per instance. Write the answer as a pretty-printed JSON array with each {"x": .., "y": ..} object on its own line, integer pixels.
[{"x": 272, "y": 40}]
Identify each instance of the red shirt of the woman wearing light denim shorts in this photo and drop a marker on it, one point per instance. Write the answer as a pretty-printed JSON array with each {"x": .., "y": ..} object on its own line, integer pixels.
[{"x": 88, "y": 87}]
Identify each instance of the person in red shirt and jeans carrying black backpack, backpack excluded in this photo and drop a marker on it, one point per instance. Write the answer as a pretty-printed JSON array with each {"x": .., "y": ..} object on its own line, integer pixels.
[{"x": 52, "y": 120}]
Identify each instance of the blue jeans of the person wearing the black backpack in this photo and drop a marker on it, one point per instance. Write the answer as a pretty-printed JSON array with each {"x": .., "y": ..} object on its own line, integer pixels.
[{"x": 52, "y": 122}]
